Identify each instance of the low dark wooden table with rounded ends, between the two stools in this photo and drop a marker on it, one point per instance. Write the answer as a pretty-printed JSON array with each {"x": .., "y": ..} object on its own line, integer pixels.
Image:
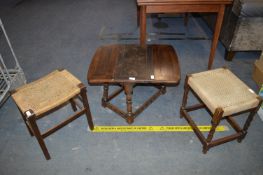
[{"x": 129, "y": 65}]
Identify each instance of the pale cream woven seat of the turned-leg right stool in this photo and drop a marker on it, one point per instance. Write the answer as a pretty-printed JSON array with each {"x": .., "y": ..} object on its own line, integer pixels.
[{"x": 221, "y": 88}]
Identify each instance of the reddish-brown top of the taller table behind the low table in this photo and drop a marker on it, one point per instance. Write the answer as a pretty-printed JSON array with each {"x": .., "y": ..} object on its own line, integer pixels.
[{"x": 167, "y": 2}]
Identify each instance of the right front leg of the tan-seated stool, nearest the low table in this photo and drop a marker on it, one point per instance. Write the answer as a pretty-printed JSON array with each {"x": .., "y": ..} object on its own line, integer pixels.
[{"x": 83, "y": 93}]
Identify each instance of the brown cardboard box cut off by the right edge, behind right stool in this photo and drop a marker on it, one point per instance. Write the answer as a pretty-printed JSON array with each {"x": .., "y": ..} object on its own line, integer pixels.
[{"x": 258, "y": 72}]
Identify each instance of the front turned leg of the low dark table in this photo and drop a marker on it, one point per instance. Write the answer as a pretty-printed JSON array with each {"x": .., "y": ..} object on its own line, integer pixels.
[{"x": 128, "y": 91}]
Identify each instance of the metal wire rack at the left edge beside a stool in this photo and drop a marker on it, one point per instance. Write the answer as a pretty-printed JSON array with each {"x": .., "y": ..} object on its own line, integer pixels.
[{"x": 11, "y": 76}]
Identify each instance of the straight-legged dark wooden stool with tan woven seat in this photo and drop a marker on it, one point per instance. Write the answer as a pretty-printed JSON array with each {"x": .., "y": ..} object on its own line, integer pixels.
[{"x": 36, "y": 99}]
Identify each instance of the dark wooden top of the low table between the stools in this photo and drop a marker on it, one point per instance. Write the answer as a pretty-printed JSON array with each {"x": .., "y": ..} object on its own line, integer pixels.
[{"x": 134, "y": 64}]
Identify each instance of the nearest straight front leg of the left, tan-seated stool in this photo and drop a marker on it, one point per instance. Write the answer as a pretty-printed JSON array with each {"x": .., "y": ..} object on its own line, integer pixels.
[{"x": 38, "y": 135}]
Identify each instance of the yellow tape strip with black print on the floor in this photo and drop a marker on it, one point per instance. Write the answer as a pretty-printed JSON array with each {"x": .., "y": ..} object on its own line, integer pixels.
[{"x": 154, "y": 128}]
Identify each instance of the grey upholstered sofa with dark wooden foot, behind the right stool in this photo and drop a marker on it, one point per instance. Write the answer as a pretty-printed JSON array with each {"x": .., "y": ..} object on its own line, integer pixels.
[{"x": 242, "y": 27}]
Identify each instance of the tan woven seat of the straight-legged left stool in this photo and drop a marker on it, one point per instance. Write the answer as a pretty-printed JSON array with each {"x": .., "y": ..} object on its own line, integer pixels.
[{"x": 47, "y": 92}]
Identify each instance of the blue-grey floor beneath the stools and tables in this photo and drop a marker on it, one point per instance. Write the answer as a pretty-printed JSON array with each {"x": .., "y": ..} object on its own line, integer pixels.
[{"x": 48, "y": 34}]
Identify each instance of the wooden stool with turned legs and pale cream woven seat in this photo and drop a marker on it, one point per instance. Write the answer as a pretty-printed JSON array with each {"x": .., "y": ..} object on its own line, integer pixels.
[{"x": 224, "y": 96}]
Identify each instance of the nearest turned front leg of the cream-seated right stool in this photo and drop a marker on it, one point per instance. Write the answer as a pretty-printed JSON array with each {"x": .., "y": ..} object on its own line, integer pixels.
[{"x": 215, "y": 121}]
